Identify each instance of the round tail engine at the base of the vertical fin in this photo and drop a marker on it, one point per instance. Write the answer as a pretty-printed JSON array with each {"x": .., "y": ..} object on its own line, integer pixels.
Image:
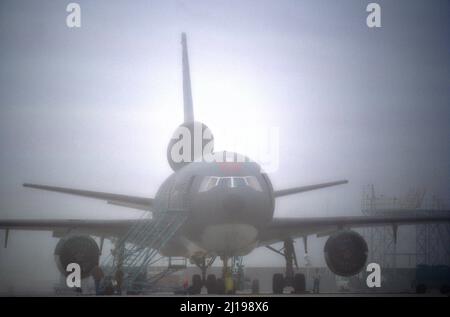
[{"x": 189, "y": 142}]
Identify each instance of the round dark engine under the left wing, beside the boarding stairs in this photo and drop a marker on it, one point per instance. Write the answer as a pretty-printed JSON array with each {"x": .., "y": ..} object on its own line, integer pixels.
[{"x": 82, "y": 250}]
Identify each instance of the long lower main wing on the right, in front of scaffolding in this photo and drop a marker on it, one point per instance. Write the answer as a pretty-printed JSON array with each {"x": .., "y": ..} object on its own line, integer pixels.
[{"x": 283, "y": 228}]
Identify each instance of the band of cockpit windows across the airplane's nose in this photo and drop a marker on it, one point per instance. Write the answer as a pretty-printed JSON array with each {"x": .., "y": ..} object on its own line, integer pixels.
[{"x": 209, "y": 182}]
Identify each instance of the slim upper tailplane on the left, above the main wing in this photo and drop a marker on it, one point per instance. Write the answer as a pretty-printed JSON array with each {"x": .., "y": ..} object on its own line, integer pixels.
[{"x": 115, "y": 199}]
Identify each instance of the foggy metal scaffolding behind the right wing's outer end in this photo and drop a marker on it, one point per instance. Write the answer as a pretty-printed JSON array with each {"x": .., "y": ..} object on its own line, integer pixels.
[{"x": 432, "y": 241}]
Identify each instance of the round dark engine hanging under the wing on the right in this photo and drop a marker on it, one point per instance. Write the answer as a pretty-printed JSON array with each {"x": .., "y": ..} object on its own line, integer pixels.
[{"x": 346, "y": 253}]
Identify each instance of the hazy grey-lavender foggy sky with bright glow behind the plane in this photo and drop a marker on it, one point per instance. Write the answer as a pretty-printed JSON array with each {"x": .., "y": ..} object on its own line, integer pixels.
[{"x": 94, "y": 107}]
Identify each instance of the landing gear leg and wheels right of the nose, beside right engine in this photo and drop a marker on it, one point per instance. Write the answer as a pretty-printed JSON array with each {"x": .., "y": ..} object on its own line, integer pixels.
[{"x": 296, "y": 281}]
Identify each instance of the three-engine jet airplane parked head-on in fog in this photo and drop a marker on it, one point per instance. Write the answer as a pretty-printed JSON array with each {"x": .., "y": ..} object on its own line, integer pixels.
[{"x": 229, "y": 206}]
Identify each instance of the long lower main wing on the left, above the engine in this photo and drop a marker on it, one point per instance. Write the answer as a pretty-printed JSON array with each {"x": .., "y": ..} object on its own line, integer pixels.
[{"x": 60, "y": 227}]
